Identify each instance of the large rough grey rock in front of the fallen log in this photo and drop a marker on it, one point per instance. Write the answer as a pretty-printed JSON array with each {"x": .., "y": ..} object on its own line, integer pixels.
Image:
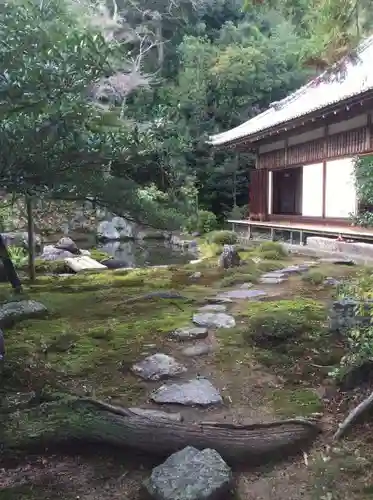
[{"x": 191, "y": 474}]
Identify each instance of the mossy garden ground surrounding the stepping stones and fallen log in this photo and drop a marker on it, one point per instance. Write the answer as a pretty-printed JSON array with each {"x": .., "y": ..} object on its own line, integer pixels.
[{"x": 95, "y": 331}]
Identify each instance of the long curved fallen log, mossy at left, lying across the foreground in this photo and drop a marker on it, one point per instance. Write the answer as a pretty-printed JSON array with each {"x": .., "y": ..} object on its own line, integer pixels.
[{"x": 73, "y": 421}]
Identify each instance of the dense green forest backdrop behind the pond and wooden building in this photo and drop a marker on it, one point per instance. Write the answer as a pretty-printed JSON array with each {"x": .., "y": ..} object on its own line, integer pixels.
[{"x": 161, "y": 77}]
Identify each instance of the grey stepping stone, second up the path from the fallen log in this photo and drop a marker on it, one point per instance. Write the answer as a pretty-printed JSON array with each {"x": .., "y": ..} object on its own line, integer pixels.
[{"x": 158, "y": 366}]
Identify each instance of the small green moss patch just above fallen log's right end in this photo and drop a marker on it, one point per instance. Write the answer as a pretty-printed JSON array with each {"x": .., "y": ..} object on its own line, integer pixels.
[{"x": 297, "y": 402}]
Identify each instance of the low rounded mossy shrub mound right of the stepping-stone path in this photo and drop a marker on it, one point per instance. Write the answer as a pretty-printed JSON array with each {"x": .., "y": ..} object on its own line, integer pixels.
[{"x": 274, "y": 322}]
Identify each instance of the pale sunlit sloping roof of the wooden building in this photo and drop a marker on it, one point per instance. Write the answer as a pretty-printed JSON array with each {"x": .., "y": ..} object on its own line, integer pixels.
[{"x": 316, "y": 95}]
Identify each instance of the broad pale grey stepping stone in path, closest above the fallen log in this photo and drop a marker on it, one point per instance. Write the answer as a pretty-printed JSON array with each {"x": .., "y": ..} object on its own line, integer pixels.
[{"x": 194, "y": 392}]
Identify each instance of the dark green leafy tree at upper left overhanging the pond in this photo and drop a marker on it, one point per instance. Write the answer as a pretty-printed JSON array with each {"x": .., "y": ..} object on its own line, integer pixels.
[{"x": 61, "y": 130}]
